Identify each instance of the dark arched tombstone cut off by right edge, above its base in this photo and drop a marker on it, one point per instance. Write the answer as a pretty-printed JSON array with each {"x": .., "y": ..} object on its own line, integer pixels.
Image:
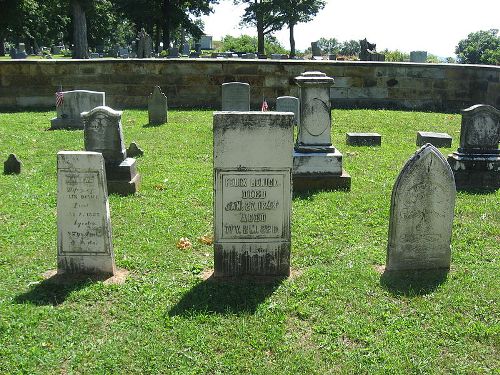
[{"x": 480, "y": 129}]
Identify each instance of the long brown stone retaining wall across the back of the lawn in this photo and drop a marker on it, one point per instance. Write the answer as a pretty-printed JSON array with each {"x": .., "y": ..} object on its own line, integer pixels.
[{"x": 197, "y": 82}]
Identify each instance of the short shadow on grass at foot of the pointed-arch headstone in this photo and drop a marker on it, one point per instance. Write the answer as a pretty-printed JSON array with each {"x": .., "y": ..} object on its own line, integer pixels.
[{"x": 413, "y": 283}]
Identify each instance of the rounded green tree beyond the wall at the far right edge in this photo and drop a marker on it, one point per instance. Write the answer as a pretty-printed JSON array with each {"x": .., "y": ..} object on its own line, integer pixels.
[{"x": 481, "y": 47}]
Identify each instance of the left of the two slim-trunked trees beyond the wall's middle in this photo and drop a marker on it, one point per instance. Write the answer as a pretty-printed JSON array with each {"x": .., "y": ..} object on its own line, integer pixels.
[{"x": 265, "y": 15}]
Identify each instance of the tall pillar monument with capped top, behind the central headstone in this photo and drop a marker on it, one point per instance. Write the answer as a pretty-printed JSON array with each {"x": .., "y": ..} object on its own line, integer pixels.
[{"x": 316, "y": 163}]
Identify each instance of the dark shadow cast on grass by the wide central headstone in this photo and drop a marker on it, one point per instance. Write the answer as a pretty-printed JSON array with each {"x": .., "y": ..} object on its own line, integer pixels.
[{"x": 226, "y": 296}]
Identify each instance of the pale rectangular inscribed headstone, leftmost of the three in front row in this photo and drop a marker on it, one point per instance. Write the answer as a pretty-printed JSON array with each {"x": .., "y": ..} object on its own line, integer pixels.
[{"x": 84, "y": 242}]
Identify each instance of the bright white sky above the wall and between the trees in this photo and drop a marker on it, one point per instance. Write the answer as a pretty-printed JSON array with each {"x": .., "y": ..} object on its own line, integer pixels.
[{"x": 435, "y": 26}]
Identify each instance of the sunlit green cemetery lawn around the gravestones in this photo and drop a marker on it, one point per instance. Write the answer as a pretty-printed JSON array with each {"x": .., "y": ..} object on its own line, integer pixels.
[{"x": 335, "y": 314}]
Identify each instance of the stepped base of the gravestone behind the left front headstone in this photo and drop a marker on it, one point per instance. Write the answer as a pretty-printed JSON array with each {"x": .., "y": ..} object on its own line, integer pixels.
[{"x": 123, "y": 179}]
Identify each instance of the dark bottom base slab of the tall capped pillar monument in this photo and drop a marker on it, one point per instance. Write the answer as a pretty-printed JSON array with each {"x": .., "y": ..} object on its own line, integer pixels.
[{"x": 321, "y": 181}]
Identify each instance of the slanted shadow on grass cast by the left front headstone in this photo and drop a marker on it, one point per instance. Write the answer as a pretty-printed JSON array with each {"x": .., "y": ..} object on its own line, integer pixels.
[{"x": 55, "y": 289}]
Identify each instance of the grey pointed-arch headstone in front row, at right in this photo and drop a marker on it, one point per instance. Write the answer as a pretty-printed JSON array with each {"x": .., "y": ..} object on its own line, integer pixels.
[{"x": 421, "y": 215}]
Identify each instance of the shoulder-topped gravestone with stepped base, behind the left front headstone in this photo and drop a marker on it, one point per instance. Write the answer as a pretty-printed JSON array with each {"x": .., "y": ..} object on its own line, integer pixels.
[{"x": 103, "y": 133}]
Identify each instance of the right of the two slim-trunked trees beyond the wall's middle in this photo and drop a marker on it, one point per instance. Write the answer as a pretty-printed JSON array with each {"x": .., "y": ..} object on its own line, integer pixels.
[{"x": 293, "y": 12}]
